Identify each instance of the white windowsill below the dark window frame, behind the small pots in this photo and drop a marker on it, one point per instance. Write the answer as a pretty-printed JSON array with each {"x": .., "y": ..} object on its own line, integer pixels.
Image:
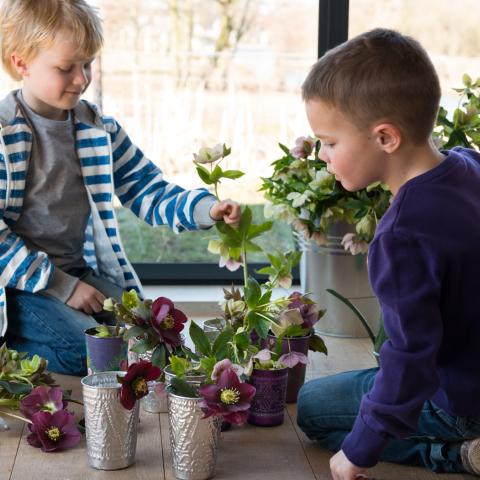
[{"x": 200, "y": 300}]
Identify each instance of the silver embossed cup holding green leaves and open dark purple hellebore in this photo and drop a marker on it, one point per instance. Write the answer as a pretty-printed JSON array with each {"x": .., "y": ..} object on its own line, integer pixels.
[{"x": 204, "y": 388}]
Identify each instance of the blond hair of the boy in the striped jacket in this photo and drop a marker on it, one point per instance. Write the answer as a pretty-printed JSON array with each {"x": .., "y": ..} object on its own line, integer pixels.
[{"x": 27, "y": 26}]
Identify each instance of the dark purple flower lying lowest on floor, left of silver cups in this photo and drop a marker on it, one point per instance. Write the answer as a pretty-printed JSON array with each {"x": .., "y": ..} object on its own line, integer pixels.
[{"x": 53, "y": 431}]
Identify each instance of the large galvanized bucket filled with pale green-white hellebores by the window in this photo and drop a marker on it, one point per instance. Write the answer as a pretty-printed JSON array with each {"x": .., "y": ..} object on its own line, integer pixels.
[{"x": 330, "y": 223}]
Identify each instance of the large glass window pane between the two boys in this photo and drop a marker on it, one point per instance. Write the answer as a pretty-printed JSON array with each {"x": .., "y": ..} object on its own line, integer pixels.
[{"x": 180, "y": 74}]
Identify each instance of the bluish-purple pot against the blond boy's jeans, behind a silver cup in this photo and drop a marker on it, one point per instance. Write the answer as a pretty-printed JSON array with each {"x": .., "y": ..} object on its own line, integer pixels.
[{"x": 105, "y": 354}]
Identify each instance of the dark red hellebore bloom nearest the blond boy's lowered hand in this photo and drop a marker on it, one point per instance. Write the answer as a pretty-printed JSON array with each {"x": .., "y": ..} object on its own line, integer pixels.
[{"x": 167, "y": 321}]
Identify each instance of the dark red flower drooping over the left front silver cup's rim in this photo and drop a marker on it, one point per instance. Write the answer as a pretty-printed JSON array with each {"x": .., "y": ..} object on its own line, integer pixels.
[{"x": 134, "y": 383}]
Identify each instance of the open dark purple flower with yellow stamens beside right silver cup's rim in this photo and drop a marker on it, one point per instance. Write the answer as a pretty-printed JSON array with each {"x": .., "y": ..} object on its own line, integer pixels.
[{"x": 228, "y": 397}]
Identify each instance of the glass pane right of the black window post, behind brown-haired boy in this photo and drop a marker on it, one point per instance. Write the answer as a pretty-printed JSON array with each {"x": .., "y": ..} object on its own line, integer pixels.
[{"x": 449, "y": 32}]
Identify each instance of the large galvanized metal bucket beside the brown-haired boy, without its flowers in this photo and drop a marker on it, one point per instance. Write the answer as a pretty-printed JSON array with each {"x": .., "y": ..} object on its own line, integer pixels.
[{"x": 330, "y": 266}]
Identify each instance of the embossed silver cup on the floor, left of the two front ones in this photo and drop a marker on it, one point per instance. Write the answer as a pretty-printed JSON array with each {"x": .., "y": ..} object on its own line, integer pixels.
[{"x": 111, "y": 429}]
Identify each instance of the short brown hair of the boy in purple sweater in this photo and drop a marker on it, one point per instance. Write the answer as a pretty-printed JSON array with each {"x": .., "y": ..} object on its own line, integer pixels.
[{"x": 379, "y": 75}]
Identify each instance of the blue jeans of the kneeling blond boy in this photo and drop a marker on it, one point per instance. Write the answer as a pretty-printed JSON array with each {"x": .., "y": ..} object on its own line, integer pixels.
[{"x": 41, "y": 324}]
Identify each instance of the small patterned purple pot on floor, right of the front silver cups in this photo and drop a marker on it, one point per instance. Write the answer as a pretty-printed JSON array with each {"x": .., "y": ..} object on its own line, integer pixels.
[{"x": 268, "y": 405}]
